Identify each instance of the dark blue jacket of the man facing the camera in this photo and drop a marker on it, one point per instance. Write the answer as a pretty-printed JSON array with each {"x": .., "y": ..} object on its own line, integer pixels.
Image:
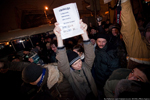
[{"x": 105, "y": 63}]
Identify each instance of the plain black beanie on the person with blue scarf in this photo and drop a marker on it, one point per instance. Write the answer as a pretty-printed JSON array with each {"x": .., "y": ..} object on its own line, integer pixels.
[{"x": 31, "y": 73}]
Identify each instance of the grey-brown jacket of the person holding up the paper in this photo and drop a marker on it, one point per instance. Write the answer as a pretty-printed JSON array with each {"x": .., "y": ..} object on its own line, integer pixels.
[{"x": 77, "y": 79}]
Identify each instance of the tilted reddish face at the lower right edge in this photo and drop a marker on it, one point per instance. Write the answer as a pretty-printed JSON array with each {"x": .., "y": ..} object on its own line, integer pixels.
[{"x": 137, "y": 75}]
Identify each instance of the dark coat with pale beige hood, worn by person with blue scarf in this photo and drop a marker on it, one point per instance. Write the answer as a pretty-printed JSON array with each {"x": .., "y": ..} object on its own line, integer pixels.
[{"x": 58, "y": 85}]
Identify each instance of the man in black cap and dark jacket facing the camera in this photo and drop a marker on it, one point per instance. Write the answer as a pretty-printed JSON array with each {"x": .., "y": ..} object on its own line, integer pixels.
[{"x": 106, "y": 61}]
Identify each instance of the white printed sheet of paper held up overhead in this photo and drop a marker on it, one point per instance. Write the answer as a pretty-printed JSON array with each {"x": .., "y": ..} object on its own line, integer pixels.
[{"x": 68, "y": 18}]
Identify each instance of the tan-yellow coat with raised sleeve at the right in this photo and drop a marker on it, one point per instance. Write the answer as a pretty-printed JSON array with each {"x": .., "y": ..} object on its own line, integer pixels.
[{"x": 137, "y": 47}]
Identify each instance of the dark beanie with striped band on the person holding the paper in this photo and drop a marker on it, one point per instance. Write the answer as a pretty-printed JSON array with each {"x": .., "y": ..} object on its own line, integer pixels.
[{"x": 72, "y": 57}]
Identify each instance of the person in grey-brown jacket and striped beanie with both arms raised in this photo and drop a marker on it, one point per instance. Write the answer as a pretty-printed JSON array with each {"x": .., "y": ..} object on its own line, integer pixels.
[{"x": 77, "y": 72}]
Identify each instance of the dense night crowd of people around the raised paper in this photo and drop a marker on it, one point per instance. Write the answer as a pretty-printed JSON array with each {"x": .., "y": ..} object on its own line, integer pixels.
[{"x": 107, "y": 61}]
